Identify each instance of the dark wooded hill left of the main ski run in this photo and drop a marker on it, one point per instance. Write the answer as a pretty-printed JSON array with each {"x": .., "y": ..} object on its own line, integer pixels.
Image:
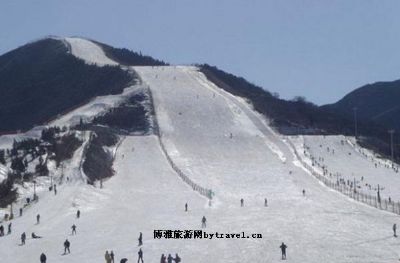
[{"x": 42, "y": 79}]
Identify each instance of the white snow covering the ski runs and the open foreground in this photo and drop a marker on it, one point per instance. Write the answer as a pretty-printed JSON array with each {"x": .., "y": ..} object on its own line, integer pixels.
[{"x": 206, "y": 139}]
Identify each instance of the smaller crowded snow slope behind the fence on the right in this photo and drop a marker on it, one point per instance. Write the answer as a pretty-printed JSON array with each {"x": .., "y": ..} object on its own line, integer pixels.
[{"x": 346, "y": 161}]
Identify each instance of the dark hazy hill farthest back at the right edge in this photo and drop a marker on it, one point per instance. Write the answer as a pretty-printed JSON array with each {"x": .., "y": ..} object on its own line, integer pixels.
[{"x": 378, "y": 103}]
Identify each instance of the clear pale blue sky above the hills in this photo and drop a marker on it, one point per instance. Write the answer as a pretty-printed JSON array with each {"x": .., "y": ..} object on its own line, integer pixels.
[{"x": 318, "y": 49}]
